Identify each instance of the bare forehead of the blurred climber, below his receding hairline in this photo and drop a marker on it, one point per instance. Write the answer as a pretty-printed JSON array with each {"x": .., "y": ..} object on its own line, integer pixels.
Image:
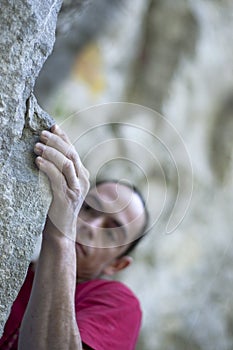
[{"x": 119, "y": 200}]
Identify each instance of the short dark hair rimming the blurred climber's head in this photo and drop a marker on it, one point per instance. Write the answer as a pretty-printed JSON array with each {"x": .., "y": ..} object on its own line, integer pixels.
[{"x": 132, "y": 245}]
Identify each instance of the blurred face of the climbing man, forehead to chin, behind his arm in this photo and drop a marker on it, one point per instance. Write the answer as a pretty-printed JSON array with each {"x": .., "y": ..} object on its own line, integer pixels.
[{"x": 111, "y": 217}]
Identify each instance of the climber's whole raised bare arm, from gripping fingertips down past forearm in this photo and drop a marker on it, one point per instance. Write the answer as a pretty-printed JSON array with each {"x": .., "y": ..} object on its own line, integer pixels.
[{"x": 49, "y": 322}]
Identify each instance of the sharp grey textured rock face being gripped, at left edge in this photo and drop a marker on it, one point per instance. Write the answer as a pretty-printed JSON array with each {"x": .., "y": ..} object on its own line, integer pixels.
[{"x": 27, "y": 38}]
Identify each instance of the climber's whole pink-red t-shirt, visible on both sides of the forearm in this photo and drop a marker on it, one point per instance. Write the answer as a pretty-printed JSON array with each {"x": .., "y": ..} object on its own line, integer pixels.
[{"x": 108, "y": 315}]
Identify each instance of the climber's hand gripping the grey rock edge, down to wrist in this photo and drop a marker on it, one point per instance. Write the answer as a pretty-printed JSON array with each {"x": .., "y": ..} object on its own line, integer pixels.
[{"x": 58, "y": 159}]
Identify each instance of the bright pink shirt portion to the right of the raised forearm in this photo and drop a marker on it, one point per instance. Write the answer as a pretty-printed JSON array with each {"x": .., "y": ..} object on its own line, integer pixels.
[{"x": 108, "y": 315}]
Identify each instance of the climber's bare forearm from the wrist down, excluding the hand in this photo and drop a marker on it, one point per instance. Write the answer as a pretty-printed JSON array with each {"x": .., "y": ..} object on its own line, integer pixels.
[{"x": 49, "y": 322}]
